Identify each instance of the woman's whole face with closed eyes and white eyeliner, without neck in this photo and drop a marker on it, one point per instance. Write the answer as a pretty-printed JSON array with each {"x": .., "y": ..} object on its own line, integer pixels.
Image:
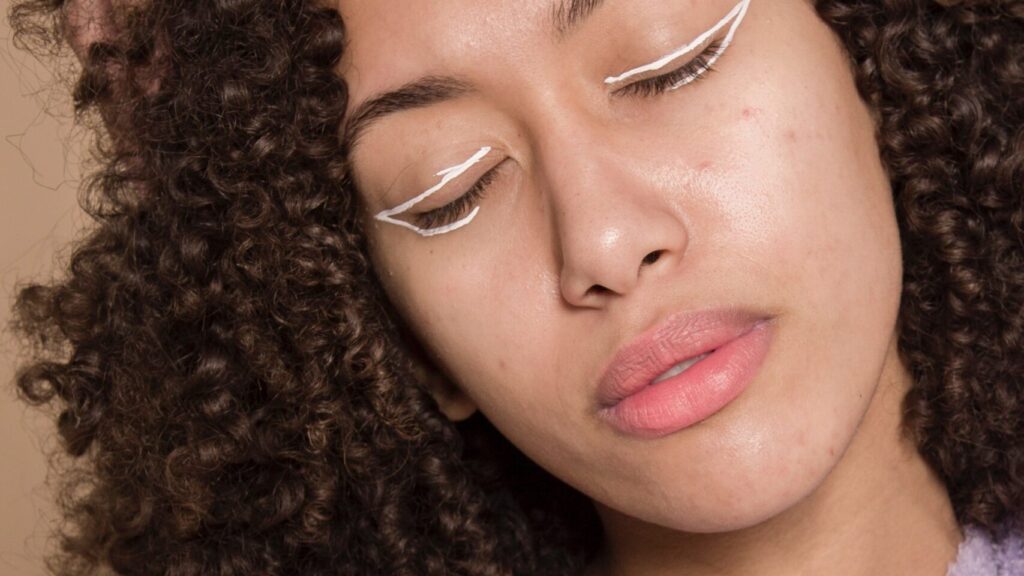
[{"x": 609, "y": 210}]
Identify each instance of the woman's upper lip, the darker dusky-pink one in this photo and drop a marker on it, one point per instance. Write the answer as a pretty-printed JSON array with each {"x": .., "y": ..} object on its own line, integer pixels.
[{"x": 681, "y": 337}]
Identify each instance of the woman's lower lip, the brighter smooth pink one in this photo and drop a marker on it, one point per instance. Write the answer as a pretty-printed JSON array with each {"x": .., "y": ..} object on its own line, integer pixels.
[{"x": 692, "y": 397}]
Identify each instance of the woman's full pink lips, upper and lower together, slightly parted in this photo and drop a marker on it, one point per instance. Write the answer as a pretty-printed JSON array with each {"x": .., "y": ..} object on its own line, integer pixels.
[{"x": 738, "y": 342}]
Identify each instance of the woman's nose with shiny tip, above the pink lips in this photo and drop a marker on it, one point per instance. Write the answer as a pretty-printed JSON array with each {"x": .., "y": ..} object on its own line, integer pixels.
[{"x": 616, "y": 224}]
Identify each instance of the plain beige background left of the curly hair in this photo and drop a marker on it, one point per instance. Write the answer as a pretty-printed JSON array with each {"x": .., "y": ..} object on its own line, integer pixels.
[{"x": 40, "y": 159}]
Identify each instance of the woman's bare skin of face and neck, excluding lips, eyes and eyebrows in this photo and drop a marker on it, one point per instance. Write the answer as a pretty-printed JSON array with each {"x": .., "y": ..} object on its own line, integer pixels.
[{"x": 758, "y": 188}]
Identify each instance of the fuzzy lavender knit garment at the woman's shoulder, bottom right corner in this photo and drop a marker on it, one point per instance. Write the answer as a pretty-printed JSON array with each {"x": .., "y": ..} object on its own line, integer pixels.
[{"x": 983, "y": 555}]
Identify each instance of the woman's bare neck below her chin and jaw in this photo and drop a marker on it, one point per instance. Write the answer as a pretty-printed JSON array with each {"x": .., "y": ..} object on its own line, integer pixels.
[{"x": 881, "y": 512}]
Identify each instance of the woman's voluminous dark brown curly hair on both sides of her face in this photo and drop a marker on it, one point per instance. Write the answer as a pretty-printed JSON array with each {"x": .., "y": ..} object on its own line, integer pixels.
[{"x": 238, "y": 394}]
